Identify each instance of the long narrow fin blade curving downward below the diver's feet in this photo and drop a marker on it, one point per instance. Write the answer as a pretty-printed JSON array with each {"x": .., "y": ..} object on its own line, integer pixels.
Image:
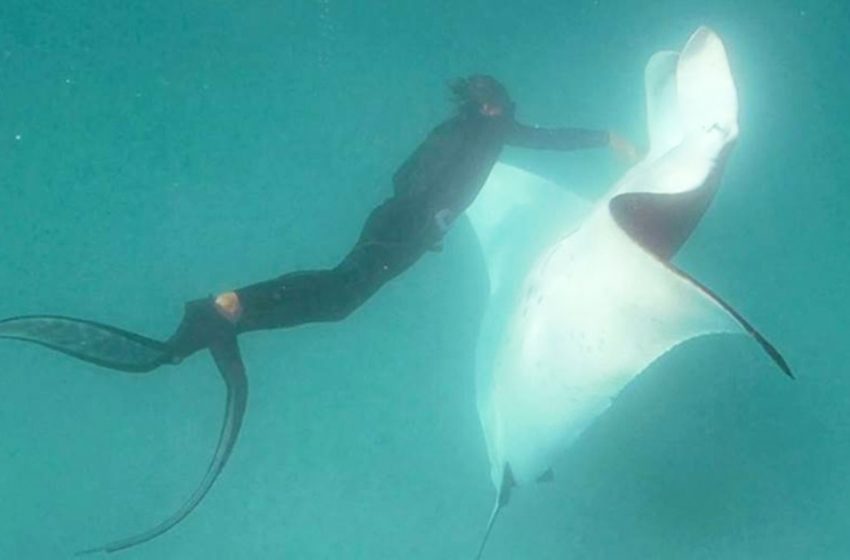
[{"x": 227, "y": 357}]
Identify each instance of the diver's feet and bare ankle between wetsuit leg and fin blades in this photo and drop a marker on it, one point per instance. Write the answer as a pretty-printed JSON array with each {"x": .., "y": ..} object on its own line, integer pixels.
[{"x": 205, "y": 321}]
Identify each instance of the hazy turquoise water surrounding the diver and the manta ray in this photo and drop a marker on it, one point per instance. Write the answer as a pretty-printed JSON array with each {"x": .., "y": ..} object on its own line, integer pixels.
[{"x": 153, "y": 154}]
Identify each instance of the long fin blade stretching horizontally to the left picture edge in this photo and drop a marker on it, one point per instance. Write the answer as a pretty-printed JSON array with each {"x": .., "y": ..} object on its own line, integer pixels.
[{"x": 96, "y": 343}]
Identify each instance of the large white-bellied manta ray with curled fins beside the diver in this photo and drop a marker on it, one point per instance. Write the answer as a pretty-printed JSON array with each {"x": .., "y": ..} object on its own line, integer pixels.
[{"x": 585, "y": 297}]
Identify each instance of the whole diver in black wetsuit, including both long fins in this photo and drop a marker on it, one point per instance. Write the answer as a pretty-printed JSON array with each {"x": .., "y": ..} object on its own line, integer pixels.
[{"x": 431, "y": 190}]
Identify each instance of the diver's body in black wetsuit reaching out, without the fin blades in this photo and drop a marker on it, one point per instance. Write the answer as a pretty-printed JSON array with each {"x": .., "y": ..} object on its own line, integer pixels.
[{"x": 432, "y": 188}]
